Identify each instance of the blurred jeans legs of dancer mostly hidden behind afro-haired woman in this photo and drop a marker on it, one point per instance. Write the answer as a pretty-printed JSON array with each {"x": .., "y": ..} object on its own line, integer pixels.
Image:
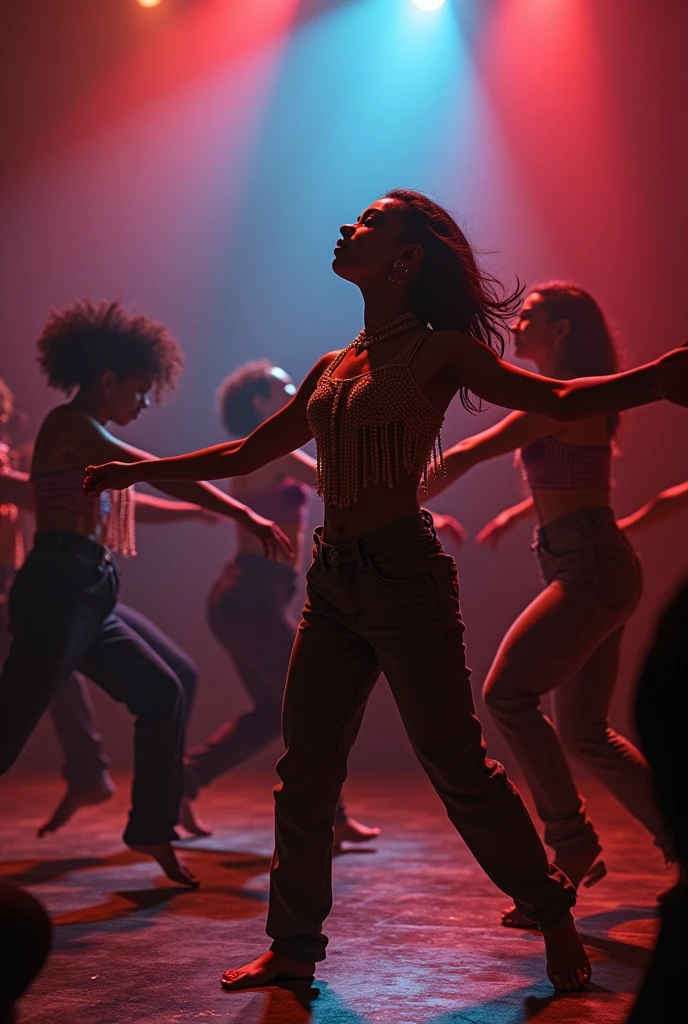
[{"x": 74, "y": 716}]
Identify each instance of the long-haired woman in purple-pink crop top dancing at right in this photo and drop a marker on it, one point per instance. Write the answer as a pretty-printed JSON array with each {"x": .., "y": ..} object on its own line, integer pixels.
[{"x": 569, "y": 641}]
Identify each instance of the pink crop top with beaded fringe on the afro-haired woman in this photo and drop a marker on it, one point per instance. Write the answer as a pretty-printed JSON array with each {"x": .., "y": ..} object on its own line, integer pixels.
[{"x": 65, "y": 489}]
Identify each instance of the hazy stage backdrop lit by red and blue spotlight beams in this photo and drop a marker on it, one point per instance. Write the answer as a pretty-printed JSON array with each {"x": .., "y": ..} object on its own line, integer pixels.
[{"x": 198, "y": 159}]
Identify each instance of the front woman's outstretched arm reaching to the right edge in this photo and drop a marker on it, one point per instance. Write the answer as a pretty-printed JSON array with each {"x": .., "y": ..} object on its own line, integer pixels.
[{"x": 479, "y": 369}]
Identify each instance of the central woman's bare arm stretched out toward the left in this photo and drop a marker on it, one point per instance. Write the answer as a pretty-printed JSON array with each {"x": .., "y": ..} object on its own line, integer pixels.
[{"x": 280, "y": 436}]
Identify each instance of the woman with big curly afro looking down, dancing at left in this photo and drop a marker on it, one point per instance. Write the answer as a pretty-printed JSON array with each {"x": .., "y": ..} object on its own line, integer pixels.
[{"x": 61, "y": 608}]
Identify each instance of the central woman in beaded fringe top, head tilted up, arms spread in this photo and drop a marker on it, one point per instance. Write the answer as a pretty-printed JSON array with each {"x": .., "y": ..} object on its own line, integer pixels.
[{"x": 382, "y": 595}]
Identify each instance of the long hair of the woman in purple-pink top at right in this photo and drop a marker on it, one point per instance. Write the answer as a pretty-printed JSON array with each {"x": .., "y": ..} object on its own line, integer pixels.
[{"x": 589, "y": 349}]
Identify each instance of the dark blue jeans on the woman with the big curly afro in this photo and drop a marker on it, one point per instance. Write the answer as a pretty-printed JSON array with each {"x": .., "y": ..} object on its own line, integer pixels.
[{"x": 62, "y": 620}]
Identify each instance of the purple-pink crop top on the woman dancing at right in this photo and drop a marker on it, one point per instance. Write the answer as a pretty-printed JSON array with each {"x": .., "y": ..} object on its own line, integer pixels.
[{"x": 551, "y": 463}]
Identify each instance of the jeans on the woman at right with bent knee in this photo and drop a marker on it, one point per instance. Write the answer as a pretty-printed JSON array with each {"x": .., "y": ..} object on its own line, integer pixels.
[{"x": 569, "y": 642}]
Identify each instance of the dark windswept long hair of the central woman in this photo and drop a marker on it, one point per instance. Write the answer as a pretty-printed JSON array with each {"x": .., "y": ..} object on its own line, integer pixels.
[{"x": 451, "y": 290}]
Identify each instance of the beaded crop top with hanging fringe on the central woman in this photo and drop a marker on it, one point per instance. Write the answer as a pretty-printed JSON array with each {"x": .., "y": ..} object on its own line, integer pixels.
[{"x": 373, "y": 428}]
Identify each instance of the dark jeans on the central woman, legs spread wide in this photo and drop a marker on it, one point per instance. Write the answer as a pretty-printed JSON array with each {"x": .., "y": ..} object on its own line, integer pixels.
[{"x": 390, "y": 603}]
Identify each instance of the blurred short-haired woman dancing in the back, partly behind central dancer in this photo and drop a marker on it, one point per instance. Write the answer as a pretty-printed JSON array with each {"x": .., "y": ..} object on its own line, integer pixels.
[{"x": 248, "y": 607}]
